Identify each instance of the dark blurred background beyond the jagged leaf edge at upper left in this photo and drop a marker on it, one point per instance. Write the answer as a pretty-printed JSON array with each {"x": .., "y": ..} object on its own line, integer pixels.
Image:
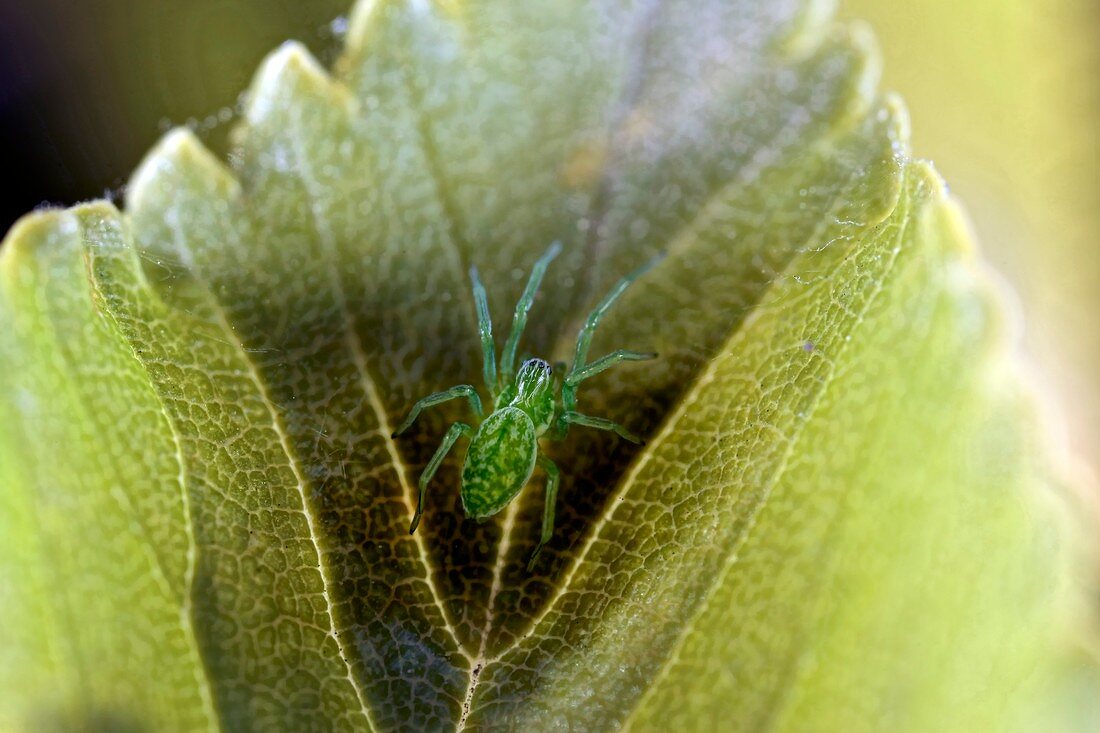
[{"x": 87, "y": 87}]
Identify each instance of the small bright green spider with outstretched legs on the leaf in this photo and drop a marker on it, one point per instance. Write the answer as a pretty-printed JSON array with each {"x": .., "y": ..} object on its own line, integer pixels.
[{"x": 527, "y": 406}]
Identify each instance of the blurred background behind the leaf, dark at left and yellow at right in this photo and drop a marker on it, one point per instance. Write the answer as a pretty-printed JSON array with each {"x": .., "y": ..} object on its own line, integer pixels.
[{"x": 1004, "y": 96}]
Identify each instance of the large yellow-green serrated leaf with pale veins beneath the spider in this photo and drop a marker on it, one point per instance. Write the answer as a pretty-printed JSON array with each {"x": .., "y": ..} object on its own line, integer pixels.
[{"x": 841, "y": 521}]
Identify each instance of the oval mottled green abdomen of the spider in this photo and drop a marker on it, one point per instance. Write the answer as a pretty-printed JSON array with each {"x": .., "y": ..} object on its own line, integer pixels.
[{"x": 499, "y": 464}]
